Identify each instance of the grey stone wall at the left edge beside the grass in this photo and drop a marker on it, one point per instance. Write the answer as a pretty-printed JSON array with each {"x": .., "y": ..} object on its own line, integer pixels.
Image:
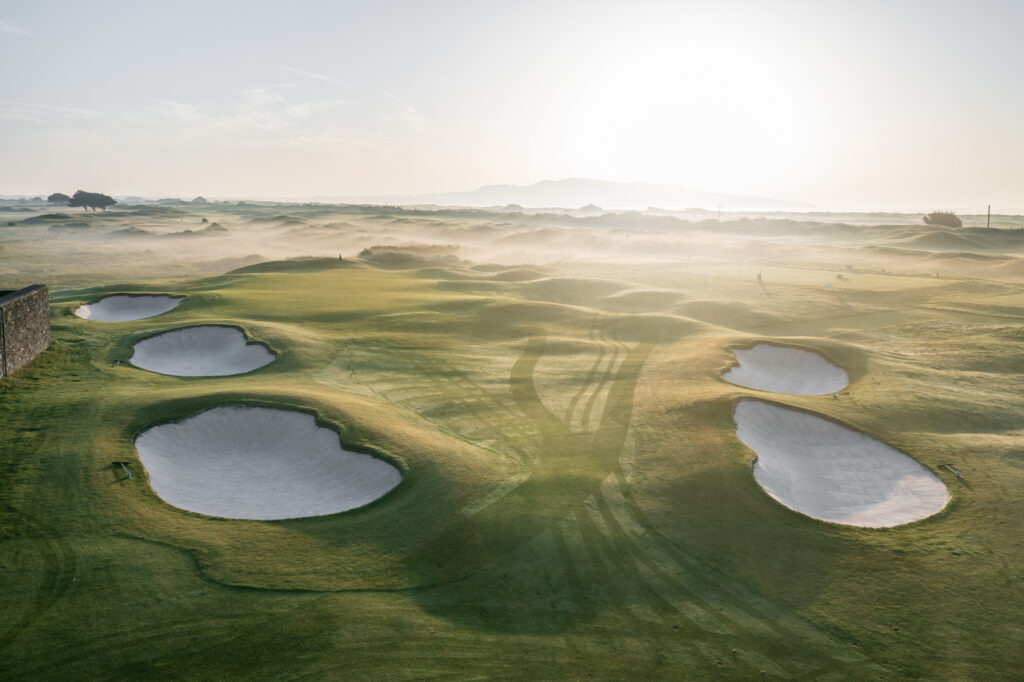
[{"x": 25, "y": 327}]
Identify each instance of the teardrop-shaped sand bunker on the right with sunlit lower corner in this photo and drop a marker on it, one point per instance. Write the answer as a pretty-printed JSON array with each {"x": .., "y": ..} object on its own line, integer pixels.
[{"x": 825, "y": 471}]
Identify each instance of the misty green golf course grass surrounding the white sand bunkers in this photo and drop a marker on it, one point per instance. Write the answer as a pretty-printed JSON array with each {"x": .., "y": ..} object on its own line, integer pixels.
[{"x": 575, "y": 503}]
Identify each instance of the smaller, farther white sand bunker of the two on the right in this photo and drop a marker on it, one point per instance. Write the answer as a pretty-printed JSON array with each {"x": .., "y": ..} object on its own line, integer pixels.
[{"x": 783, "y": 370}]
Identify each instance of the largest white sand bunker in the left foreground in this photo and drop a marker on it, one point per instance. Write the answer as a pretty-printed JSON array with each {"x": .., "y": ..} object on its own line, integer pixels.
[{"x": 260, "y": 463}]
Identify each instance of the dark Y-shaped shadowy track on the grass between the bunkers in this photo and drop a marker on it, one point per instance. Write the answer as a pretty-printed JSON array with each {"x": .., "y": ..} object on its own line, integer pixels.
[{"x": 513, "y": 556}]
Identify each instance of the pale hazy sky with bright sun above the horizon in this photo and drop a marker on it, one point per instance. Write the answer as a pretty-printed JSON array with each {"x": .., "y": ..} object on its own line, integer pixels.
[{"x": 861, "y": 104}]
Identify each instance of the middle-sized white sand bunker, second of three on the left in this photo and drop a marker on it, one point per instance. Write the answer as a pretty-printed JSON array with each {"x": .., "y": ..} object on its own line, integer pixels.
[{"x": 200, "y": 352}]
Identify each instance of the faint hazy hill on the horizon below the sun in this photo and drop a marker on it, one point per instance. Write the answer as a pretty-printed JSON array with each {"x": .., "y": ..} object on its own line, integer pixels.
[{"x": 574, "y": 193}]
